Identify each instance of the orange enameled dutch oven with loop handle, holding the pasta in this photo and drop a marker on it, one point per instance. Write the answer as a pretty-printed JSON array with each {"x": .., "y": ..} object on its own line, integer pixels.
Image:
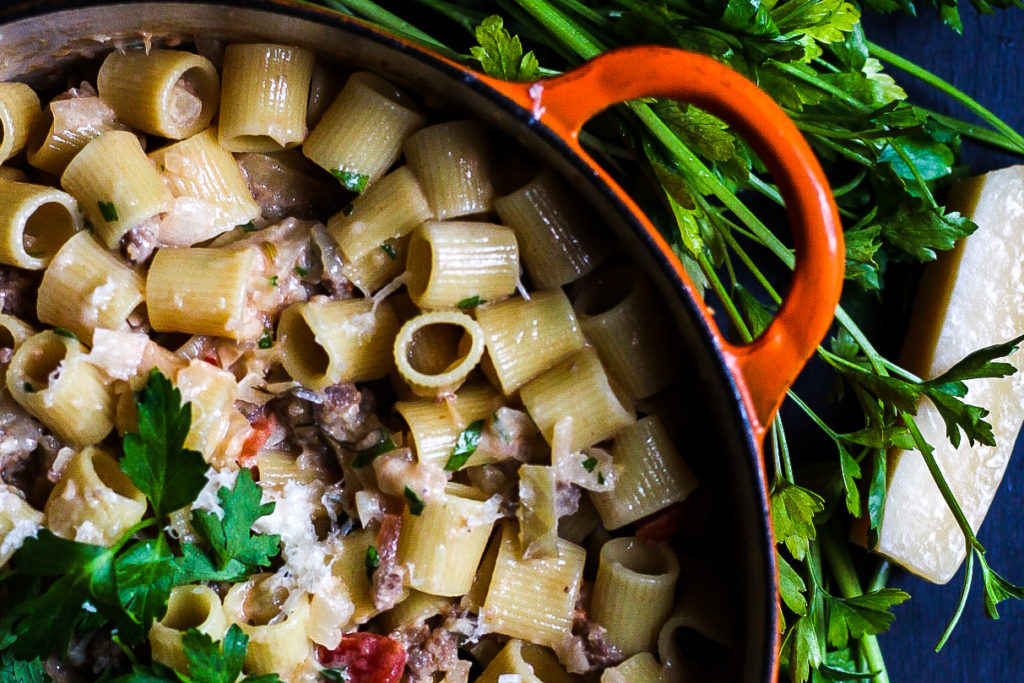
[{"x": 734, "y": 391}]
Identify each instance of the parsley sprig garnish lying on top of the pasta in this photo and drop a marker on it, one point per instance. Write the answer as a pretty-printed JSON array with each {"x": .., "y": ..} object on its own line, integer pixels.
[{"x": 60, "y": 589}]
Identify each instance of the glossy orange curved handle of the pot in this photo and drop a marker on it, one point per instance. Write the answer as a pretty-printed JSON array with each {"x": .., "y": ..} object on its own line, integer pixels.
[{"x": 770, "y": 365}]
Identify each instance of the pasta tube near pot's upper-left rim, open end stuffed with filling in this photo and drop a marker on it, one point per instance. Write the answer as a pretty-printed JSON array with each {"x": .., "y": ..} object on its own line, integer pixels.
[{"x": 165, "y": 93}]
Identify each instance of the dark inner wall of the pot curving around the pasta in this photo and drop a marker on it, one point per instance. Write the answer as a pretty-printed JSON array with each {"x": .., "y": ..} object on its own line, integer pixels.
[{"x": 712, "y": 431}]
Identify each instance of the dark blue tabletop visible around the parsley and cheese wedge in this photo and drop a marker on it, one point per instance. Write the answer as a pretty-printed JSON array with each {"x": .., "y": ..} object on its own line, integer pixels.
[{"x": 986, "y": 63}]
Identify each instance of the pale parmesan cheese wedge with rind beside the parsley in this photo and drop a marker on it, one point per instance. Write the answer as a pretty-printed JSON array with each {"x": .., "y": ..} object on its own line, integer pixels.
[{"x": 971, "y": 298}]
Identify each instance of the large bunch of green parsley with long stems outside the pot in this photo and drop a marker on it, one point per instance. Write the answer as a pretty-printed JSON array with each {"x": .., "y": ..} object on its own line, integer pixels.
[{"x": 888, "y": 162}]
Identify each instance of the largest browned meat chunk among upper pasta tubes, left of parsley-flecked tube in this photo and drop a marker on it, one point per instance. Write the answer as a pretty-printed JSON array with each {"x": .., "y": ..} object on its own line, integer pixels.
[{"x": 287, "y": 185}]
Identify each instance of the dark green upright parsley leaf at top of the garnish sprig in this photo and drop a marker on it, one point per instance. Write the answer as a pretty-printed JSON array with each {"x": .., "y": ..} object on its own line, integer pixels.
[{"x": 156, "y": 459}]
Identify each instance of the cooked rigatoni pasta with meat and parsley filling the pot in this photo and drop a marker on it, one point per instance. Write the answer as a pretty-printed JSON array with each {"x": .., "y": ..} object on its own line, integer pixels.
[{"x": 360, "y": 414}]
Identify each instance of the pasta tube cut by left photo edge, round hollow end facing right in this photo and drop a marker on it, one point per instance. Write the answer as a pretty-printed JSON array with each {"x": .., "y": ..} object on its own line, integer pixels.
[{"x": 35, "y": 222}]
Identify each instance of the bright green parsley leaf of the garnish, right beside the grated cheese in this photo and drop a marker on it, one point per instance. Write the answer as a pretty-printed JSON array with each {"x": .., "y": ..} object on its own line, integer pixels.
[{"x": 231, "y": 538}]
